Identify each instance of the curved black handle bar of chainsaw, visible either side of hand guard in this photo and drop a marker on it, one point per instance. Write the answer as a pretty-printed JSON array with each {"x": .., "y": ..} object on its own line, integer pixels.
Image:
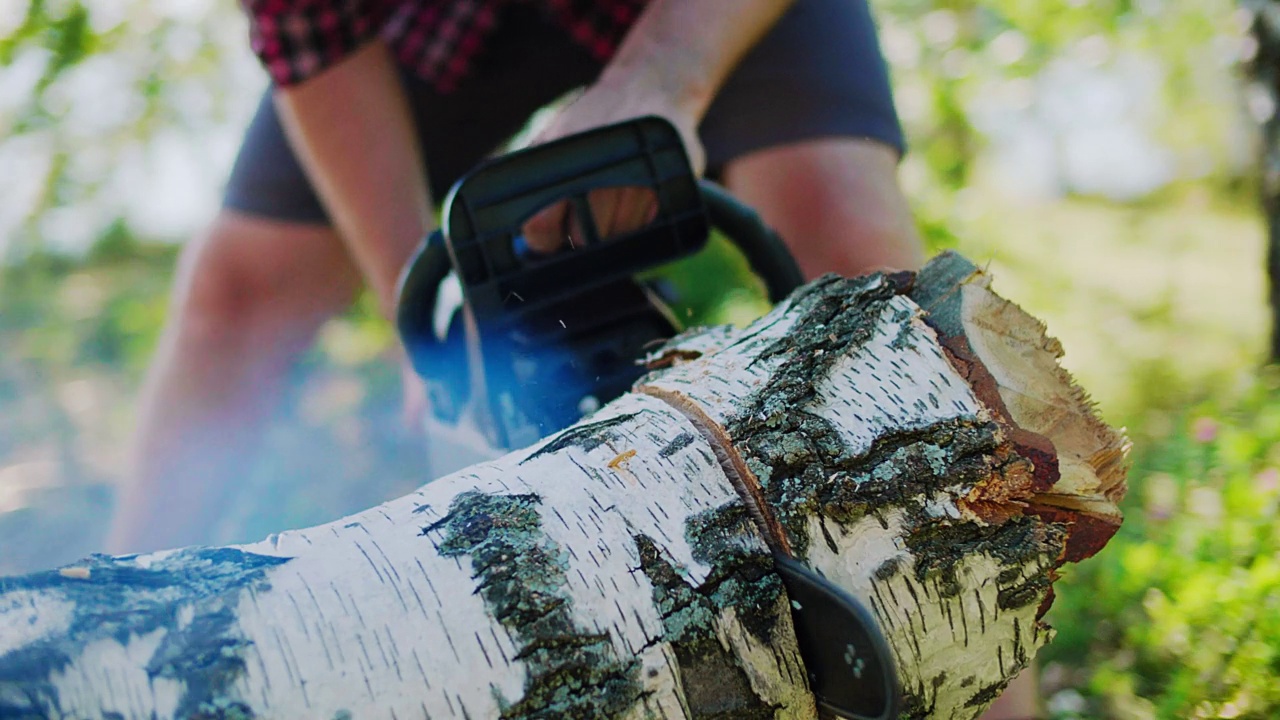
[{"x": 764, "y": 249}]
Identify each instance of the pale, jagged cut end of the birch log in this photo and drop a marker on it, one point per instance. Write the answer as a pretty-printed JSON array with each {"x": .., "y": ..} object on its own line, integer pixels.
[{"x": 1080, "y": 462}]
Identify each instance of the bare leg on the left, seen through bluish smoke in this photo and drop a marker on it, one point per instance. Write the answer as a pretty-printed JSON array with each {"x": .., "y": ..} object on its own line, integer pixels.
[{"x": 249, "y": 299}]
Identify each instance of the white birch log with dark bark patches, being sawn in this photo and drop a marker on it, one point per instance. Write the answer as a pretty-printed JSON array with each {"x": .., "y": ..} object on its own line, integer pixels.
[{"x": 911, "y": 438}]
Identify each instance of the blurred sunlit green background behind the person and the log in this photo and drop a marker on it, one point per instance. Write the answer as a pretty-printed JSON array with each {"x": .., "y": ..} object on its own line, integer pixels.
[{"x": 1099, "y": 156}]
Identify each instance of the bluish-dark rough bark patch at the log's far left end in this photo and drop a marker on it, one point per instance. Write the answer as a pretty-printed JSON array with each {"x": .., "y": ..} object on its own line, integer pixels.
[{"x": 116, "y": 598}]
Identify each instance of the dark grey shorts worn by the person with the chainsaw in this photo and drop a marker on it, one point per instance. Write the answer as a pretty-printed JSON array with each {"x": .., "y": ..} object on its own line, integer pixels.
[{"x": 817, "y": 74}]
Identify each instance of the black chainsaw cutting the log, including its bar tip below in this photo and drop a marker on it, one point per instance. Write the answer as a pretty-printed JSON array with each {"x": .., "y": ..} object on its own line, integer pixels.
[{"x": 515, "y": 345}]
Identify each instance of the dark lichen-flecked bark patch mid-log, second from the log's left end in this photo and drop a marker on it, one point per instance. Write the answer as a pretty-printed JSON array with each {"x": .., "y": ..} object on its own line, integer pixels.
[{"x": 522, "y": 576}]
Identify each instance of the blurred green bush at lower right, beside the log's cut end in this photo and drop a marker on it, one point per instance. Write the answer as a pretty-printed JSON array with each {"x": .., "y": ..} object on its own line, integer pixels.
[{"x": 1181, "y": 616}]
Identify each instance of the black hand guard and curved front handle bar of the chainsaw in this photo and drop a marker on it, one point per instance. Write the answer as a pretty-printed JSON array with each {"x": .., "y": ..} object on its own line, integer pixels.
[{"x": 486, "y": 211}]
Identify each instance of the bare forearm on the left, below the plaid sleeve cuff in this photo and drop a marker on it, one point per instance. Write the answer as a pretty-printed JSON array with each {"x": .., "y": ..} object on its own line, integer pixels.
[{"x": 353, "y": 130}]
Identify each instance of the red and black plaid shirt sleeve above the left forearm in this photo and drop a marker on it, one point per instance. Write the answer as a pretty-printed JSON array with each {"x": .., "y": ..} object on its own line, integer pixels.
[{"x": 298, "y": 39}]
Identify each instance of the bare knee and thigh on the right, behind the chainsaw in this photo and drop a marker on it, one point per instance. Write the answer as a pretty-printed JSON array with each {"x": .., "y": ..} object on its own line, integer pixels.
[{"x": 836, "y": 202}]
